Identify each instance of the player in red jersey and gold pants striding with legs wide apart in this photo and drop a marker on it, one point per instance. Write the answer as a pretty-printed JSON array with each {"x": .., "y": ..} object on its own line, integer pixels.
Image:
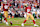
[{"x": 28, "y": 12}]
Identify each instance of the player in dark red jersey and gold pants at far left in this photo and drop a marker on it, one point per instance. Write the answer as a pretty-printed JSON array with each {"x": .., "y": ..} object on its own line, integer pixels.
[{"x": 5, "y": 7}]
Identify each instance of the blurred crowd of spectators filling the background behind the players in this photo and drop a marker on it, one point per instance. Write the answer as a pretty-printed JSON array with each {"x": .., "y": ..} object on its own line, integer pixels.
[{"x": 17, "y": 7}]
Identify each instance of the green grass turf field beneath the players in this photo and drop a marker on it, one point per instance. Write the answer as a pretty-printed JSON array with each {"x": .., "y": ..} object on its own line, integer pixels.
[{"x": 18, "y": 21}]
